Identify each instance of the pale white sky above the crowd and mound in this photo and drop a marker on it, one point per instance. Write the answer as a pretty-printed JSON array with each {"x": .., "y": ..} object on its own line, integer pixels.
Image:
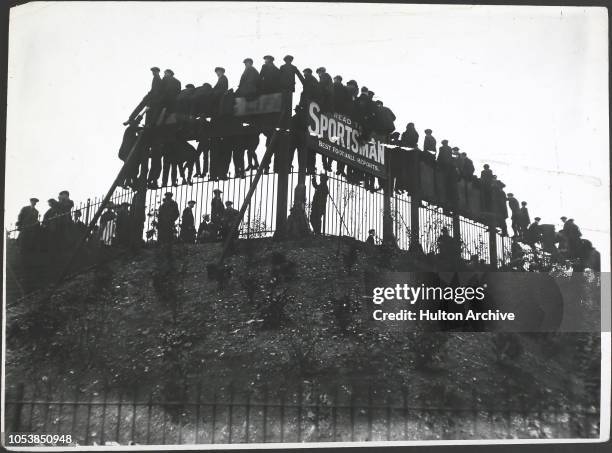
[{"x": 522, "y": 88}]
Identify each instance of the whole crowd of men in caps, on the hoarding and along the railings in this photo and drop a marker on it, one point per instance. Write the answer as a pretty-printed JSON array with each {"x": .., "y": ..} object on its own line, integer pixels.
[{"x": 213, "y": 156}]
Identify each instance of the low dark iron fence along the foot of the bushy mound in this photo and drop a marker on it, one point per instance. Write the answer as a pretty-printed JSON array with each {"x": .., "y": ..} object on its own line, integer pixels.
[{"x": 299, "y": 413}]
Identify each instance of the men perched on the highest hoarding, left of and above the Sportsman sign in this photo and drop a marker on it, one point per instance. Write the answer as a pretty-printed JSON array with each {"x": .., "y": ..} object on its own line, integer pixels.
[{"x": 212, "y": 156}]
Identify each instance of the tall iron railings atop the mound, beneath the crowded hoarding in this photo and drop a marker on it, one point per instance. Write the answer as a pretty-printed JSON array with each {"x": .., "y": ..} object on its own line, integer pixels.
[{"x": 352, "y": 210}]
